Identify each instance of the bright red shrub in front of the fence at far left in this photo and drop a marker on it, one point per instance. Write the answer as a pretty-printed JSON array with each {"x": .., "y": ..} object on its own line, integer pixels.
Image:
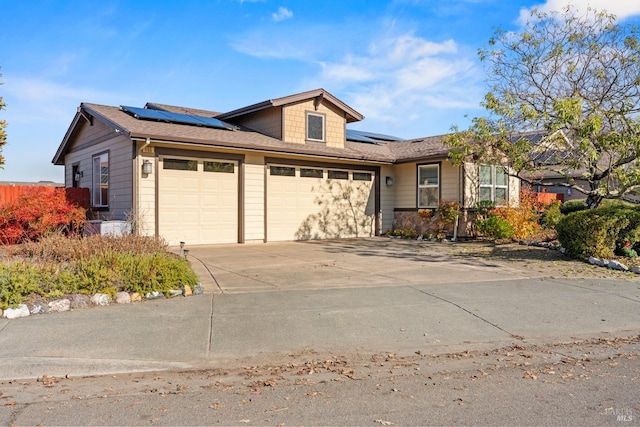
[{"x": 36, "y": 213}]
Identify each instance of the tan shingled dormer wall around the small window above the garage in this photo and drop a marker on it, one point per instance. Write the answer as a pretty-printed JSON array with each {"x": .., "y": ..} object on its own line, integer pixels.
[{"x": 295, "y": 123}]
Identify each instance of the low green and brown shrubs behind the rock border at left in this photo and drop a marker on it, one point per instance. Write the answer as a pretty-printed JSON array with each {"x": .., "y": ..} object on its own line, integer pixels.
[{"x": 58, "y": 266}]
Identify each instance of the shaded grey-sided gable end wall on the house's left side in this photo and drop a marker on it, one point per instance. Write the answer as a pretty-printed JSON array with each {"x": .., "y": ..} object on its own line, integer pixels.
[{"x": 97, "y": 139}]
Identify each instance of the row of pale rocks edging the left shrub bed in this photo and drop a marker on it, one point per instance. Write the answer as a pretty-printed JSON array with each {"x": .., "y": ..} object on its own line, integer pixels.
[{"x": 77, "y": 301}]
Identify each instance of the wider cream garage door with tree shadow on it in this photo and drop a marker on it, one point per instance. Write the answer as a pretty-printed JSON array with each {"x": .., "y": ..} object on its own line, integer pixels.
[{"x": 319, "y": 203}]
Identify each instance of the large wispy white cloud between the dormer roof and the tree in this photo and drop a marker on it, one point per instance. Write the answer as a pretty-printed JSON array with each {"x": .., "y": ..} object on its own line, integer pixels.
[{"x": 399, "y": 80}]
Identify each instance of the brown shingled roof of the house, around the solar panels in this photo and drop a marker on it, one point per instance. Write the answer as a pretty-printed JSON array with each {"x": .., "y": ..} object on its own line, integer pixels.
[{"x": 359, "y": 146}]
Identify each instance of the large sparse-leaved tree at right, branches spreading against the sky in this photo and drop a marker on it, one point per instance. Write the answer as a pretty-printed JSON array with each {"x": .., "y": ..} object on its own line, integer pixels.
[{"x": 574, "y": 78}]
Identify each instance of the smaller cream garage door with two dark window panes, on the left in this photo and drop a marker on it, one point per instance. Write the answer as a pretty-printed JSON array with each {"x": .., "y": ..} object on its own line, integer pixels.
[{"x": 198, "y": 201}]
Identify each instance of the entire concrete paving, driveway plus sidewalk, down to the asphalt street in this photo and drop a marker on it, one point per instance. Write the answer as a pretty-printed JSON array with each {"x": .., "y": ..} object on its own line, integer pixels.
[{"x": 347, "y": 308}]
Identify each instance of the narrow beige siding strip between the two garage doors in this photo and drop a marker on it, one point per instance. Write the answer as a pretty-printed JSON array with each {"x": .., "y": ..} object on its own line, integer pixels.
[{"x": 254, "y": 197}]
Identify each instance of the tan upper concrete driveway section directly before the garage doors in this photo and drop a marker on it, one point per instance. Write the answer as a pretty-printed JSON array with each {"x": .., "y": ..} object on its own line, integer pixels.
[{"x": 348, "y": 263}]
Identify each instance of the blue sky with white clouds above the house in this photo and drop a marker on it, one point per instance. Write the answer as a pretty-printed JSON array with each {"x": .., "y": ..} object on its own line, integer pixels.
[{"x": 410, "y": 66}]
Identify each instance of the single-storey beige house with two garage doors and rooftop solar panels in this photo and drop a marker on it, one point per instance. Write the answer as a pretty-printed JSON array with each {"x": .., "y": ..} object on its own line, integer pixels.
[{"x": 283, "y": 169}]
